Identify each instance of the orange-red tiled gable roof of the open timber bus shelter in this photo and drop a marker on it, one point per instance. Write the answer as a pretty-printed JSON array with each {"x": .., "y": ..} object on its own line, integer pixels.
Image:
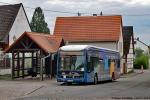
[{"x": 46, "y": 42}]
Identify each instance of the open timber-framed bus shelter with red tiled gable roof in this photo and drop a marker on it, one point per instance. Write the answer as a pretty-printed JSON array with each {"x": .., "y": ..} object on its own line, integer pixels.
[{"x": 33, "y": 50}]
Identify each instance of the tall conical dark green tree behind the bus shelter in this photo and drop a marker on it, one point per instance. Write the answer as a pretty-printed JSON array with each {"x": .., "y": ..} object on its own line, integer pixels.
[{"x": 38, "y": 23}]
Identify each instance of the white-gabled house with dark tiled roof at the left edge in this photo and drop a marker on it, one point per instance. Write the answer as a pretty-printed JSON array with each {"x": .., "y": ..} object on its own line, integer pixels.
[{"x": 13, "y": 22}]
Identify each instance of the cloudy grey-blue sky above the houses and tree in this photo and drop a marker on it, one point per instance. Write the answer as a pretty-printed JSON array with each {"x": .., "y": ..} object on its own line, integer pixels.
[{"x": 135, "y": 13}]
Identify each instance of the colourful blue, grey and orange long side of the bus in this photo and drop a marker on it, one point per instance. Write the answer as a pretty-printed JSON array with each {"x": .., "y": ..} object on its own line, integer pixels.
[{"x": 105, "y": 68}]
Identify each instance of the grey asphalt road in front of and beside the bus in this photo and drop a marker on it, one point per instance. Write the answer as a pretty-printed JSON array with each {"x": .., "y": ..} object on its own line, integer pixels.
[{"x": 133, "y": 86}]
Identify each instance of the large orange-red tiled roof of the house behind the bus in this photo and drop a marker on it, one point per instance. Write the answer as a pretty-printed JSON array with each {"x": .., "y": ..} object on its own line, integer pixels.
[{"x": 89, "y": 28}]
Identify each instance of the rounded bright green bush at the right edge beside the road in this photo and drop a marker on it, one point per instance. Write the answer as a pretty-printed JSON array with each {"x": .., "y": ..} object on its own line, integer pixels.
[{"x": 141, "y": 60}]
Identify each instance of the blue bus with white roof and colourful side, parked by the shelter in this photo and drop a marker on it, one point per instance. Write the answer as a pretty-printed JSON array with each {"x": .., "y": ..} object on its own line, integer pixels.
[{"x": 86, "y": 64}]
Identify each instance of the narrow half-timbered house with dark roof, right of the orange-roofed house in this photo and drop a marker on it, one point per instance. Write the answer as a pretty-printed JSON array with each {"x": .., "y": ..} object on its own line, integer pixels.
[{"x": 128, "y": 45}]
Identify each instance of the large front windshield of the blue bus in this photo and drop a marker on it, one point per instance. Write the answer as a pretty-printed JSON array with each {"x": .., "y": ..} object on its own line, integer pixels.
[{"x": 71, "y": 62}]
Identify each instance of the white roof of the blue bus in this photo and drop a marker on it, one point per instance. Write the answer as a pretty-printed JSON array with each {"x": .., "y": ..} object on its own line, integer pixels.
[{"x": 82, "y": 47}]
